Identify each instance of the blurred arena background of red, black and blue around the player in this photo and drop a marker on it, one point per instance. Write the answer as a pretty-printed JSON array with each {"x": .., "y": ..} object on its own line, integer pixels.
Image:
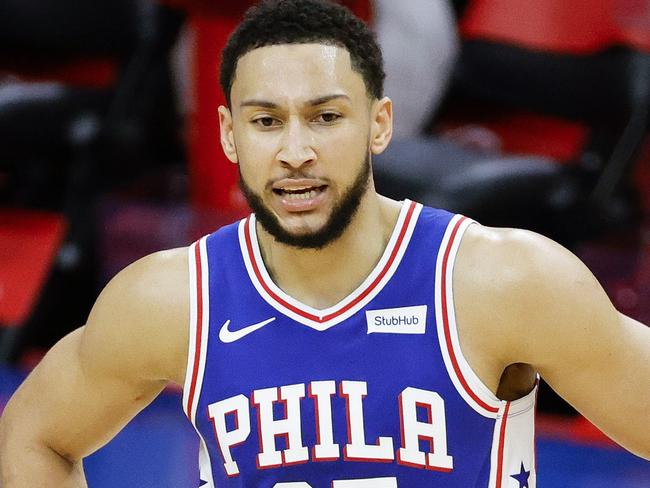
[{"x": 523, "y": 113}]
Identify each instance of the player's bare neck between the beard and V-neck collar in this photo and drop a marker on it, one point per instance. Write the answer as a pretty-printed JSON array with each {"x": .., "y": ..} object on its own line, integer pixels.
[{"x": 322, "y": 277}]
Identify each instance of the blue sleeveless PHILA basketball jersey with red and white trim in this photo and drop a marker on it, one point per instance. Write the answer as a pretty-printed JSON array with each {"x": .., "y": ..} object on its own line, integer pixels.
[{"x": 373, "y": 392}]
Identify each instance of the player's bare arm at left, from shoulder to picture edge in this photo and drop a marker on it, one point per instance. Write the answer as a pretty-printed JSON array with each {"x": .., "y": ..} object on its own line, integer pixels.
[{"x": 98, "y": 377}]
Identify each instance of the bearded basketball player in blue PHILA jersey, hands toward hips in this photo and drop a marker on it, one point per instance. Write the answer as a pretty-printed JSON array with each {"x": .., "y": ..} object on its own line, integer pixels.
[{"x": 336, "y": 337}]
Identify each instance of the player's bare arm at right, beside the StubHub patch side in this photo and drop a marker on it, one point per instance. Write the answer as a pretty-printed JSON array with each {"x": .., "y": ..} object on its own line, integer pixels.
[{"x": 536, "y": 303}]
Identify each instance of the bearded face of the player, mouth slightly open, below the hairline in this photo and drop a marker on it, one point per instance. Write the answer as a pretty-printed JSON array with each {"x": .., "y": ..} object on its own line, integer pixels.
[{"x": 300, "y": 130}]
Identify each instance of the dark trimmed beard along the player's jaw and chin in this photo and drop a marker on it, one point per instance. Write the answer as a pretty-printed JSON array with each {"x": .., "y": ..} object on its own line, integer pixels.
[{"x": 338, "y": 221}]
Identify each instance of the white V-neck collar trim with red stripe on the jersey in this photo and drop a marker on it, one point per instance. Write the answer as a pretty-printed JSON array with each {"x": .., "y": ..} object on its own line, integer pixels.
[{"x": 324, "y": 319}]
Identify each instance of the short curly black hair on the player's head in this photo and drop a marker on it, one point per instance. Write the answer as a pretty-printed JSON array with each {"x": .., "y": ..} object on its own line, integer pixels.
[{"x": 273, "y": 22}]
